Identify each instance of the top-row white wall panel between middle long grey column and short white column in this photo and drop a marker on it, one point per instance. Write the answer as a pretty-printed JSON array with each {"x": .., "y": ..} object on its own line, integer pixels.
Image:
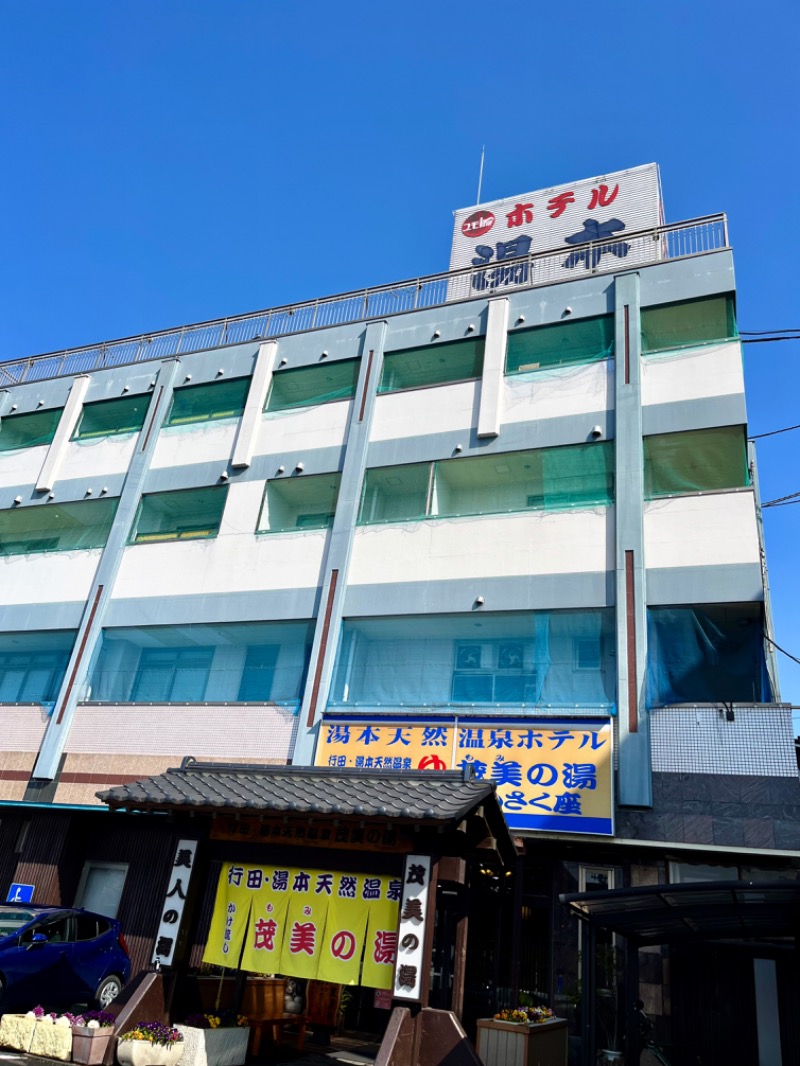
[{"x": 440, "y": 410}]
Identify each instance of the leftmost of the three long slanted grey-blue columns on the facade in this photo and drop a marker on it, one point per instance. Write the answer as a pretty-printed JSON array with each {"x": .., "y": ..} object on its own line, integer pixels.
[{"x": 91, "y": 626}]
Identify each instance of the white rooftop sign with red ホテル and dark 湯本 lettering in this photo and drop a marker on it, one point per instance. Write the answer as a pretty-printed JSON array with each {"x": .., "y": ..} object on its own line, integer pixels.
[{"x": 500, "y": 235}]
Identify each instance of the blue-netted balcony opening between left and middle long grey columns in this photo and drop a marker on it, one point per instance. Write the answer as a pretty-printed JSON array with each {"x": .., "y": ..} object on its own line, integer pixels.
[{"x": 257, "y": 663}]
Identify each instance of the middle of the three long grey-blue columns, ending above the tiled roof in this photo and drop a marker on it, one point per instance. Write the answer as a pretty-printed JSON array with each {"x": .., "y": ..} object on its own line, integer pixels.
[{"x": 340, "y": 547}]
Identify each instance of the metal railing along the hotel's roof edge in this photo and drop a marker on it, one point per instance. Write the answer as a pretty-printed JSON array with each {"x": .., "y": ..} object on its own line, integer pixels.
[{"x": 622, "y": 252}]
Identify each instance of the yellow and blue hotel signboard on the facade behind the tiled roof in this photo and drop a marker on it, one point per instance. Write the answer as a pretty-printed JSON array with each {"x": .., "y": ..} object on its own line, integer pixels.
[{"x": 554, "y": 777}]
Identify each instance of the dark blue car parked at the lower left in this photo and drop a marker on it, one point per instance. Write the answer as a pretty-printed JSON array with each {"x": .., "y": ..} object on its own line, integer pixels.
[{"x": 59, "y": 957}]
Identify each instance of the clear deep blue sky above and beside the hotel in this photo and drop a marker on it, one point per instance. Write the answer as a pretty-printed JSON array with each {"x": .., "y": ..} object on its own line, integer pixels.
[{"x": 167, "y": 161}]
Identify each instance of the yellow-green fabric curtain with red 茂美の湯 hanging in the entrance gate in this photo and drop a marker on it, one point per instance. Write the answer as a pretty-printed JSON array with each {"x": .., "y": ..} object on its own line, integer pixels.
[{"x": 307, "y": 924}]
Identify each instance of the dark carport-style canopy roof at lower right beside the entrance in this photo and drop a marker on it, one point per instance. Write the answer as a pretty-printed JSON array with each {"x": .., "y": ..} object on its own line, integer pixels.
[{"x": 708, "y": 911}]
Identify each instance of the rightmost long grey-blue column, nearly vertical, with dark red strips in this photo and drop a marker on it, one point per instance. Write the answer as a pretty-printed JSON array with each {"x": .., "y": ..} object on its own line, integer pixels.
[{"x": 635, "y": 769}]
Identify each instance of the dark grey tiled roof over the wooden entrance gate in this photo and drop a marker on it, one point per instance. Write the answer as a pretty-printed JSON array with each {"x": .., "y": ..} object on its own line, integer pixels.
[{"x": 440, "y": 800}]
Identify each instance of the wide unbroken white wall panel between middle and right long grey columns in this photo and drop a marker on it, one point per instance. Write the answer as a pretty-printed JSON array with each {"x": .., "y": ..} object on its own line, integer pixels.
[{"x": 497, "y": 546}]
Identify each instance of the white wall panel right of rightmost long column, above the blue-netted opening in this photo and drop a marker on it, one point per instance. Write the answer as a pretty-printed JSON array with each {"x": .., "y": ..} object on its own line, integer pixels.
[{"x": 711, "y": 530}]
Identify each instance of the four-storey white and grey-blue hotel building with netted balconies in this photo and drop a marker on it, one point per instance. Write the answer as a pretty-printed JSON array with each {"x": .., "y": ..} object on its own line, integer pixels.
[{"x": 511, "y": 522}]
